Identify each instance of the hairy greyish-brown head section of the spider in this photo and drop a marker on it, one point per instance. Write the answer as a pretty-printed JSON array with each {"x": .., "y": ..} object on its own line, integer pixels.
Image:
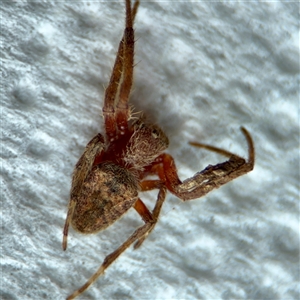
[{"x": 146, "y": 143}]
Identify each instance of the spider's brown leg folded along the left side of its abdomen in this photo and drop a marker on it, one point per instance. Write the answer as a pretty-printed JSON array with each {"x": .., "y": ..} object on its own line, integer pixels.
[{"x": 83, "y": 167}]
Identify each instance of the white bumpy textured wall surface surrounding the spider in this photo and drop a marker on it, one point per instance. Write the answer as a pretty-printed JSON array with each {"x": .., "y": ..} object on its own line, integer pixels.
[{"x": 204, "y": 69}]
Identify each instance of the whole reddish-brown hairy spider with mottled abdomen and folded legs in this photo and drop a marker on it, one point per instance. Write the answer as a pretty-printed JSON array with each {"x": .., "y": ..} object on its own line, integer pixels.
[{"x": 113, "y": 168}]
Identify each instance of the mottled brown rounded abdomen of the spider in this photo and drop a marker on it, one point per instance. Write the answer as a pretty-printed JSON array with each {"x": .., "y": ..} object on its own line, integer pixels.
[{"x": 107, "y": 193}]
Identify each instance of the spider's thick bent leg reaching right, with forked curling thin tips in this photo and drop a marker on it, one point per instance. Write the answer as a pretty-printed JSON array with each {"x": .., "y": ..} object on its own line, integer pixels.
[{"x": 211, "y": 177}]
